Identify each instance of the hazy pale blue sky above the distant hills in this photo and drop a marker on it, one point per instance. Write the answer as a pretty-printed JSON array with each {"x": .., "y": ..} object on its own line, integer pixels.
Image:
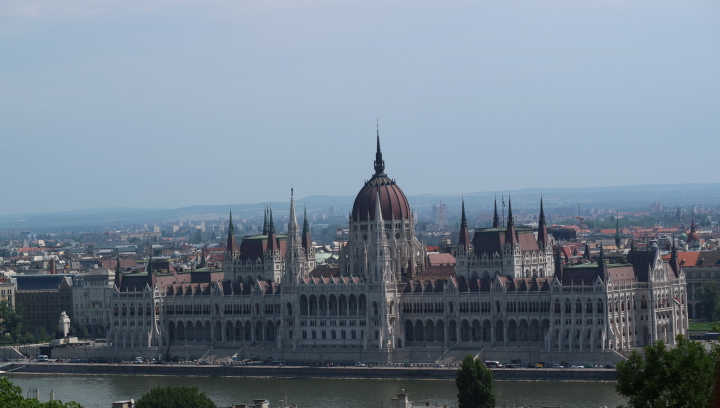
[{"x": 171, "y": 103}]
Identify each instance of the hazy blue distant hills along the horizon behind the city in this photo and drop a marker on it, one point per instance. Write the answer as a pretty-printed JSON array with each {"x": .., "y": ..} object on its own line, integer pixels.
[{"x": 622, "y": 198}]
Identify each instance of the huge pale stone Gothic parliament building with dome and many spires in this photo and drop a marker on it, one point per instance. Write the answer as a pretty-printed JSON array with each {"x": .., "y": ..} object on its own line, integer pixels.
[{"x": 511, "y": 297}]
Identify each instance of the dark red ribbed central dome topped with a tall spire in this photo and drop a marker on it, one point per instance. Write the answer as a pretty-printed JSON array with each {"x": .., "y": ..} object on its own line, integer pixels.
[{"x": 393, "y": 203}]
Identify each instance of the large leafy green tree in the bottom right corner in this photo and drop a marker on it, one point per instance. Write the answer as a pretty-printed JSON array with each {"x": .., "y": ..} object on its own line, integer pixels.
[{"x": 663, "y": 377}]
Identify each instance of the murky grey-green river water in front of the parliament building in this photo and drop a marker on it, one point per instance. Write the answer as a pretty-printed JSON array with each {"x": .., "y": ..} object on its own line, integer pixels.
[{"x": 99, "y": 391}]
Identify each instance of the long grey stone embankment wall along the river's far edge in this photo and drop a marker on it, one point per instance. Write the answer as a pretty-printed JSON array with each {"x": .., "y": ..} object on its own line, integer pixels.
[{"x": 439, "y": 373}]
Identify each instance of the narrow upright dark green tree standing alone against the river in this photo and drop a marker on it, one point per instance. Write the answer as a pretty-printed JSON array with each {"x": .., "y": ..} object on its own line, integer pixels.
[{"x": 474, "y": 382}]
